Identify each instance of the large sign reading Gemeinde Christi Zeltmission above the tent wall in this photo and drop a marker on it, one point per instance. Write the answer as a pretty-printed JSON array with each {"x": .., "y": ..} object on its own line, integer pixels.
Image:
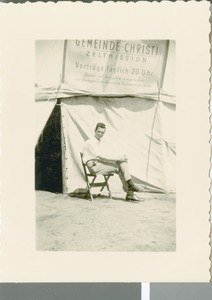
[{"x": 117, "y": 67}]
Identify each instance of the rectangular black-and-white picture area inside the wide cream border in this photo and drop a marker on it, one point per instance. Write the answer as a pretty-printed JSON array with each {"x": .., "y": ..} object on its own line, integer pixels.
[{"x": 106, "y": 145}]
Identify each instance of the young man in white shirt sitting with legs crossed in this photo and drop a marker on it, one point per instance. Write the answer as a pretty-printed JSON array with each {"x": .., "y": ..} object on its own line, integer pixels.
[{"x": 98, "y": 162}]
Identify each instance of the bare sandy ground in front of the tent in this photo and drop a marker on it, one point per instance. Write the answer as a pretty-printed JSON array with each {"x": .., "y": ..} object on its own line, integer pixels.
[{"x": 72, "y": 224}]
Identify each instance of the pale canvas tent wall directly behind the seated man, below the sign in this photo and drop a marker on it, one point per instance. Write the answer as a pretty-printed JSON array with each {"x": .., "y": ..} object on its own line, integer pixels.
[{"x": 142, "y": 129}]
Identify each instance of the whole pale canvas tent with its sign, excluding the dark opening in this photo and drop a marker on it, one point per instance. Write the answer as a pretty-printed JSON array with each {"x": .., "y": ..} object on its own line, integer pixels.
[{"x": 129, "y": 85}]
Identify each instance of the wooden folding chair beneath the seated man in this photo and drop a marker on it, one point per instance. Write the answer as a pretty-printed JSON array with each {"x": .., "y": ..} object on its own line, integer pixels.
[{"x": 91, "y": 178}]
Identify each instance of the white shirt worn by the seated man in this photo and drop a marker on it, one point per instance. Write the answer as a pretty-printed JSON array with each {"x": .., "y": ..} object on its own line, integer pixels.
[{"x": 92, "y": 148}]
